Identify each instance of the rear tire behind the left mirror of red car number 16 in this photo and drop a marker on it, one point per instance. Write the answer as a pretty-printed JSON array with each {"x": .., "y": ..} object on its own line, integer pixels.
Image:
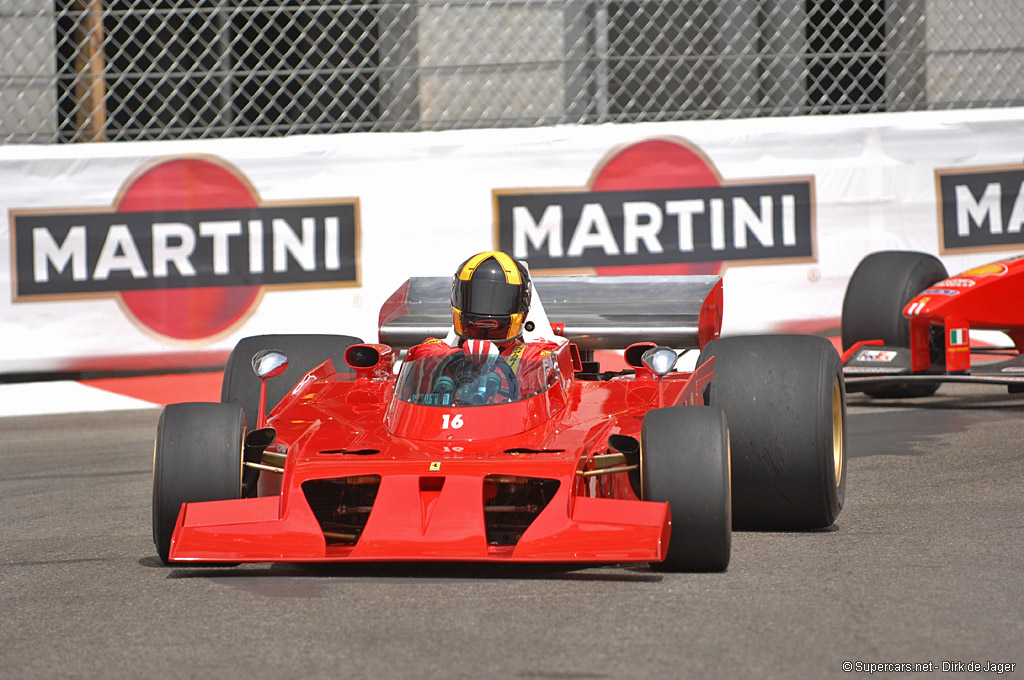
[{"x": 305, "y": 353}]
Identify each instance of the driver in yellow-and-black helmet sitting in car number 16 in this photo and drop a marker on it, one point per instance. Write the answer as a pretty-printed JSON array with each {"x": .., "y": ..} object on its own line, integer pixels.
[{"x": 491, "y": 295}]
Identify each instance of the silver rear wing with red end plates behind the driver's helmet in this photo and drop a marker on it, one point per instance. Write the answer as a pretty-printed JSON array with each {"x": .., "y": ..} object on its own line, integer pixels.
[{"x": 594, "y": 313}]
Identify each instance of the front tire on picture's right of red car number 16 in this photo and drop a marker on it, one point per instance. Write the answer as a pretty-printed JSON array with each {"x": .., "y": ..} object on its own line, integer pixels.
[{"x": 685, "y": 459}]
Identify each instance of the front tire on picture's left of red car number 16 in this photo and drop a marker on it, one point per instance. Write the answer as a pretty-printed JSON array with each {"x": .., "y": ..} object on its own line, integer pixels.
[{"x": 197, "y": 457}]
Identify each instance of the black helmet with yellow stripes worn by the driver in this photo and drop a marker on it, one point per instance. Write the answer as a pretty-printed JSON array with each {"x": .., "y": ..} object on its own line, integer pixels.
[{"x": 490, "y": 297}]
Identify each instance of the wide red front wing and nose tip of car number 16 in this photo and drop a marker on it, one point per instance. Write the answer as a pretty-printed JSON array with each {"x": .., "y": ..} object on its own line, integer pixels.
[{"x": 402, "y": 527}]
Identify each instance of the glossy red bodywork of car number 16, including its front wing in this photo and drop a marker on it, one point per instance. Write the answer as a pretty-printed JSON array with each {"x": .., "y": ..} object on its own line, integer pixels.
[{"x": 428, "y": 483}]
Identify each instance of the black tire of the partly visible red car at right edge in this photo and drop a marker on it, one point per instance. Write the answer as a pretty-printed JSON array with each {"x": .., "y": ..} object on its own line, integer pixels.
[{"x": 873, "y": 309}]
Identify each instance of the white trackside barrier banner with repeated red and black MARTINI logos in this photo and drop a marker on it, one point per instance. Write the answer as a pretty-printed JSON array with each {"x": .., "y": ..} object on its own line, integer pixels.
[{"x": 152, "y": 256}]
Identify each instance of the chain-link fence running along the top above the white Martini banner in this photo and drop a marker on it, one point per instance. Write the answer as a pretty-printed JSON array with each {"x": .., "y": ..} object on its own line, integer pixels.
[{"x": 118, "y": 70}]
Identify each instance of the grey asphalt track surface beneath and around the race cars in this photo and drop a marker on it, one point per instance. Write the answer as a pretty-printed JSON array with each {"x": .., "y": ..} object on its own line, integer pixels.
[{"x": 926, "y": 566}]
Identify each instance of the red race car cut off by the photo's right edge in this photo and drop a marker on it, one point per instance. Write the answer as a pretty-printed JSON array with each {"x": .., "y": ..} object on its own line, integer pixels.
[{"x": 907, "y": 325}]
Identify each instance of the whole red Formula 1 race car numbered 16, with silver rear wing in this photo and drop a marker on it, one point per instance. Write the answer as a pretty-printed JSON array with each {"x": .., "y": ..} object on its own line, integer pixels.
[{"x": 556, "y": 461}]
